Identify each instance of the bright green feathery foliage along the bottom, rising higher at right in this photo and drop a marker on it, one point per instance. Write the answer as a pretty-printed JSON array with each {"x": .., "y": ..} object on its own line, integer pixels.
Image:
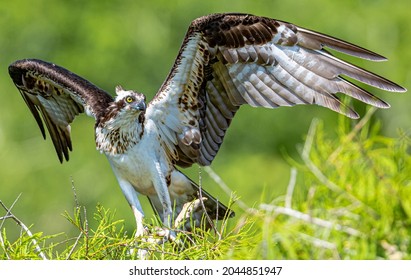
[{"x": 349, "y": 197}]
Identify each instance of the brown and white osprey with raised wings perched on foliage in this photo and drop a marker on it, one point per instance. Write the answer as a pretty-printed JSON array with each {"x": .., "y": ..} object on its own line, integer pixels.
[{"x": 225, "y": 61}]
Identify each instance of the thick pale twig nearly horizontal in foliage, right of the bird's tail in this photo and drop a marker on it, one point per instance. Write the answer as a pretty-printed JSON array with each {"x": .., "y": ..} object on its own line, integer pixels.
[{"x": 309, "y": 219}]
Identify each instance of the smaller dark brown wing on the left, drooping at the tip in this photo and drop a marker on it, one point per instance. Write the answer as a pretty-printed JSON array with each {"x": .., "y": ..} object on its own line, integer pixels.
[{"x": 58, "y": 96}]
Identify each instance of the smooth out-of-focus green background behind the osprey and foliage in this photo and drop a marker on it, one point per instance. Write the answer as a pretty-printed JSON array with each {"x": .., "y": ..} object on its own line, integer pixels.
[{"x": 134, "y": 43}]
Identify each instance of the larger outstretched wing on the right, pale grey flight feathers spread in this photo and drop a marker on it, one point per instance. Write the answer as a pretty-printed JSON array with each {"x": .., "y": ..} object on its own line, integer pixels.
[{"x": 227, "y": 60}]
